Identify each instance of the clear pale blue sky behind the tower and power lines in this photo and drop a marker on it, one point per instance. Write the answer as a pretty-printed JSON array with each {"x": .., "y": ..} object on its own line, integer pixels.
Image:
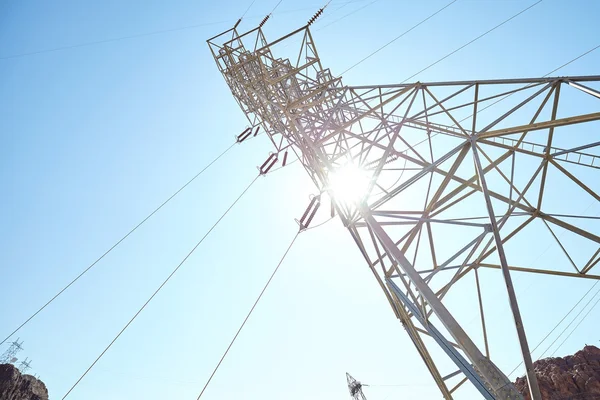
[{"x": 94, "y": 137}]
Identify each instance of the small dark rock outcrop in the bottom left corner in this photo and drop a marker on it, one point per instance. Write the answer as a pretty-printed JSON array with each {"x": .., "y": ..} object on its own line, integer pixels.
[{"x": 15, "y": 386}]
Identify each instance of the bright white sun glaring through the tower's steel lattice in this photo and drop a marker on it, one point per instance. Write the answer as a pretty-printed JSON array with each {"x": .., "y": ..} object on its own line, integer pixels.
[{"x": 349, "y": 184}]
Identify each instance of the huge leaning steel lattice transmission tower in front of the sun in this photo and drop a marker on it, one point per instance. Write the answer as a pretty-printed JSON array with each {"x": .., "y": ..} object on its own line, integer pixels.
[{"x": 452, "y": 187}]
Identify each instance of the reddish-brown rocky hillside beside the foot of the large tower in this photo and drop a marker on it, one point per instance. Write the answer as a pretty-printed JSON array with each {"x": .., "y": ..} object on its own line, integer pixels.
[{"x": 575, "y": 377}]
